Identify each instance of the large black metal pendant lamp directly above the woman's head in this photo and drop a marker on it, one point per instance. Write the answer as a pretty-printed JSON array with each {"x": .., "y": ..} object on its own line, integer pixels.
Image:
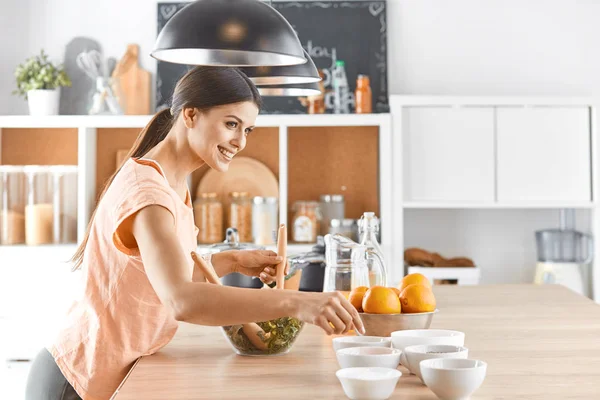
[{"x": 233, "y": 33}]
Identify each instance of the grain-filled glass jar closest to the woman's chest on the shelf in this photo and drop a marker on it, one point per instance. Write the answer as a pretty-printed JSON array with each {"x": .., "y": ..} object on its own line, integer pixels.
[{"x": 208, "y": 216}]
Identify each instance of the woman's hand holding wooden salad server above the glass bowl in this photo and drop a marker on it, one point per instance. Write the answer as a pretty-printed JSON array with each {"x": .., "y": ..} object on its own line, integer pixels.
[{"x": 261, "y": 263}]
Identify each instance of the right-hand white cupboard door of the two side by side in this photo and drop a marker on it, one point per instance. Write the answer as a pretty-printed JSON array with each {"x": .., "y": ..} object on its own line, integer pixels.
[{"x": 544, "y": 154}]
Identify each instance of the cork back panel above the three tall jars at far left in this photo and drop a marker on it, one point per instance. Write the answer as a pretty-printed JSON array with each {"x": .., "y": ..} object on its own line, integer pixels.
[{"x": 39, "y": 146}]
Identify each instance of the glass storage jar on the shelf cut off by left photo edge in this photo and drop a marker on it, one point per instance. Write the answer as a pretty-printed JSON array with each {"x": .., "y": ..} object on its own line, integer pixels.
[{"x": 12, "y": 204}]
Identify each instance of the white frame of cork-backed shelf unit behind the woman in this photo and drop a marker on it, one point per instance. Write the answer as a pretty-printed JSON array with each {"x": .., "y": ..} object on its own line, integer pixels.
[{"x": 89, "y": 128}]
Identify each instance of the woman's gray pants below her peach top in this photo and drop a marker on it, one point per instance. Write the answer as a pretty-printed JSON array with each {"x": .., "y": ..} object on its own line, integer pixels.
[{"x": 46, "y": 381}]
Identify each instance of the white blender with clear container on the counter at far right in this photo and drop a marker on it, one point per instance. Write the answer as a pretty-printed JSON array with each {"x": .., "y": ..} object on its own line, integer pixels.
[{"x": 564, "y": 256}]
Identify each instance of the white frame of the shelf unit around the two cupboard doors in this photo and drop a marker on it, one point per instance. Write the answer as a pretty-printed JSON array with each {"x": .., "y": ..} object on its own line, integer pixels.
[{"x": 400, "y": 103}]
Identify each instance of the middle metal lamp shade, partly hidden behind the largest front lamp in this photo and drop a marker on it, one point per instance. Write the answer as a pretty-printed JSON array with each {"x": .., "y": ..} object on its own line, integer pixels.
[{"x": 278, "y": 75}]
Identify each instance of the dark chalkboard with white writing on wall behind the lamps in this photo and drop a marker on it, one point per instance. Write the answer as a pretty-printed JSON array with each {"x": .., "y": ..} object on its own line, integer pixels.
[{"x": 352, "y": 31}]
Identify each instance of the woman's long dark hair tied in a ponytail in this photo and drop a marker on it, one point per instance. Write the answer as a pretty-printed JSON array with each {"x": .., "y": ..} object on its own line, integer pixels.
[{"x": 202, "y": 88}]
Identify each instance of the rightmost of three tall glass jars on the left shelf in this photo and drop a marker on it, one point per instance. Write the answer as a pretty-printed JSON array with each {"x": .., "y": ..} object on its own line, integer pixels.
[{"x": 64, "y": 203}]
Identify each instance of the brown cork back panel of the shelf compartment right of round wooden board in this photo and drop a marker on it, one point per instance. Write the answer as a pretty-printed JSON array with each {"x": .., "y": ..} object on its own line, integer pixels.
[{"x": 335, "y": 160}]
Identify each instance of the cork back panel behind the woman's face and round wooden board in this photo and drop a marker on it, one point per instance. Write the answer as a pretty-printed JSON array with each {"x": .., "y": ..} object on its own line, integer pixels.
[{"x": 262, "y": 145}]
